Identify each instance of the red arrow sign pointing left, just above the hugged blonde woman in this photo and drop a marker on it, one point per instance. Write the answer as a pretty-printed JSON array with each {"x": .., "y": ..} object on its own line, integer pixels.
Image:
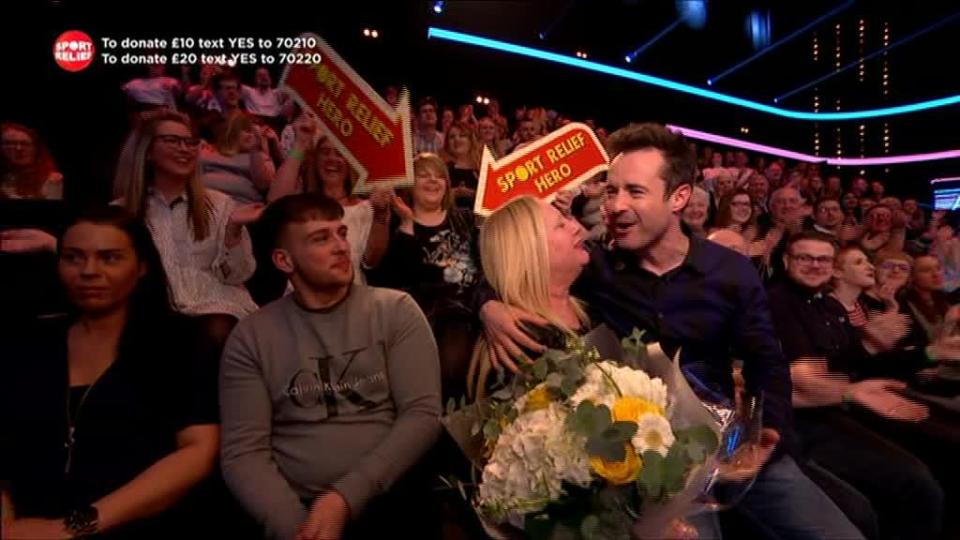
[{"x": 561, "y": 160}]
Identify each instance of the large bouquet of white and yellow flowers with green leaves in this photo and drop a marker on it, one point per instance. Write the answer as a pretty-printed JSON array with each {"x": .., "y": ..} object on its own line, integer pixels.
[{"x": 588, "y": 445}]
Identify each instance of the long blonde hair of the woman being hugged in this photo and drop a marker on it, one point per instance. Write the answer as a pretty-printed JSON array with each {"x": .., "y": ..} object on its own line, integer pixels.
[{"x": 516, "y": 263}]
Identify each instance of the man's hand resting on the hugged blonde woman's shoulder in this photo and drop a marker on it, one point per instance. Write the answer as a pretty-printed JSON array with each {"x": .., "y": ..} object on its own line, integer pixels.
[{"x": 504, "y": 336}]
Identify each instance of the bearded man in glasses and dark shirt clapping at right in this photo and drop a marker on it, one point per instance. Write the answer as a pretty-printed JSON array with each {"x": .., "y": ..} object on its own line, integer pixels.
[{"x": 824, "y": 356}]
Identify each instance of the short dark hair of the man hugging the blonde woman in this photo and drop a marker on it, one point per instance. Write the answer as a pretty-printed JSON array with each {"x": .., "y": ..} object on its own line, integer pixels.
[{"x": 680, "y": 160}]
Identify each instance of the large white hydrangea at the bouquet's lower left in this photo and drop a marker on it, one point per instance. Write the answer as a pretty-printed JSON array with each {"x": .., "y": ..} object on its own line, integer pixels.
[{"x": 532, "y": 458}]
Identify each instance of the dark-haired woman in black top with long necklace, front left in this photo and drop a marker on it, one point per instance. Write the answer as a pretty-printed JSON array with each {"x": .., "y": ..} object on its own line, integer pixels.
[{"x": 109, "y": 416}]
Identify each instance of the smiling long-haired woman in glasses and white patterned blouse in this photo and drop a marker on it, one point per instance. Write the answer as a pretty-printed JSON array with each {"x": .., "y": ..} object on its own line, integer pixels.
[{"x": 200, "y": 233}]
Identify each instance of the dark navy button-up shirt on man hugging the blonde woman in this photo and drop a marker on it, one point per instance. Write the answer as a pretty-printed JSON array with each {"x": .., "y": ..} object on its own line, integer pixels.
[{"x": 713, "y": 306}]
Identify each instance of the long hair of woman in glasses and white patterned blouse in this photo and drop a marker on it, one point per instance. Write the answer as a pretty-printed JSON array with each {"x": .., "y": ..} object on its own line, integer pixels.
[{"x": 135, "y": 173}]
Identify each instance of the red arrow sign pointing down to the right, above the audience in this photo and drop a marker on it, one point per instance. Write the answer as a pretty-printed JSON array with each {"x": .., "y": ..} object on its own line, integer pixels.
[{"x": 374, "y": 138}]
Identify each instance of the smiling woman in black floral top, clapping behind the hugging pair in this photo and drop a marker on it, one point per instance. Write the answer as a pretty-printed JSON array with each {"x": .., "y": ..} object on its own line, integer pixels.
[{"x": 433, "y": 256}]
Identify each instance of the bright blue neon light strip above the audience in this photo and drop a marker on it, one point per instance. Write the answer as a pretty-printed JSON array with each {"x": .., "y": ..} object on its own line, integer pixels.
[{"x": 503, "y": 46}]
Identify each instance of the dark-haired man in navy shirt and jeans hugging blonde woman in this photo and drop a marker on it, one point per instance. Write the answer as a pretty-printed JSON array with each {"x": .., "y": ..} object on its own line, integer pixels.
[{"x": 696, "y": 295}]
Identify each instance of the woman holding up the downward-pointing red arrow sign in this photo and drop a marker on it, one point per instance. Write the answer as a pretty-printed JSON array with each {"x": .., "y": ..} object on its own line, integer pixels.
[{"x": 320, "y": 167}]
